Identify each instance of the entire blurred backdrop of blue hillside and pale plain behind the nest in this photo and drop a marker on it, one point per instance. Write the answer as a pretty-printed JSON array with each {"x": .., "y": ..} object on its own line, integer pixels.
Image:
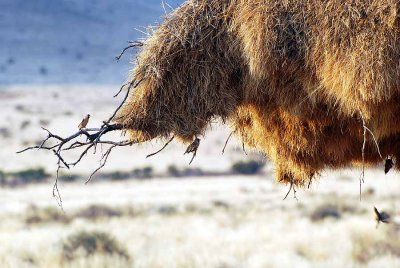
[{"x": 57, "y": 64}]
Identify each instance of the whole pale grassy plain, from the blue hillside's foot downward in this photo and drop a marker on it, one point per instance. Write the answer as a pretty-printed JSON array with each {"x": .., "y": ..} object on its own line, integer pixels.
[{"x": 202, "y": 215}]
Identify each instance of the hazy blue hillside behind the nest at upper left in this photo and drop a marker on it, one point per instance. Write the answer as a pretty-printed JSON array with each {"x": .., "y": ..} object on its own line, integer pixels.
[{"x": 71, "y": 41}]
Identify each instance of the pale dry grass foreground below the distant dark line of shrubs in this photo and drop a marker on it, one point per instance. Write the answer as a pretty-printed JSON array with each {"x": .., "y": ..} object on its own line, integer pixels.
[{"x": 226, "y": 222}]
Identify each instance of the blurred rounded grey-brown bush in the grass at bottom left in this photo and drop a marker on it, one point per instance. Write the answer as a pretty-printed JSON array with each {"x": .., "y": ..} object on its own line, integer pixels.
[{"x": 84, "y": 244}]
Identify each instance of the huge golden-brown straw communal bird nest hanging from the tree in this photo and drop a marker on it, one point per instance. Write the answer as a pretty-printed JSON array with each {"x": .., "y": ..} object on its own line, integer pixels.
[{"x": 298, "y": 80}]
